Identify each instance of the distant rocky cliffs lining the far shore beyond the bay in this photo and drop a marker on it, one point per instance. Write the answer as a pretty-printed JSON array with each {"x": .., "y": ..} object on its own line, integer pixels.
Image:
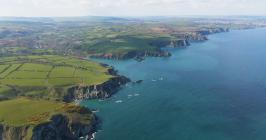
[{"x": 184, "y": 40}]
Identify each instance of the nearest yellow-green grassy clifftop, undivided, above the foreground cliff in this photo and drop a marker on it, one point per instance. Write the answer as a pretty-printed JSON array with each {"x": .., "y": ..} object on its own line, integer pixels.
[{"x": 23, "y": 111}]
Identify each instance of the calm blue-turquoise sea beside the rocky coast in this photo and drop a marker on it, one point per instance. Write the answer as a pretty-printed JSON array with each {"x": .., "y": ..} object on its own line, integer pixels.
[{"x": 214, "y": 90}]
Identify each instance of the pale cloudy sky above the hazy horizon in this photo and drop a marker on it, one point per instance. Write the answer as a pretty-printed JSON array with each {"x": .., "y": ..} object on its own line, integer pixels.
[{"x": 131, "y": 7}]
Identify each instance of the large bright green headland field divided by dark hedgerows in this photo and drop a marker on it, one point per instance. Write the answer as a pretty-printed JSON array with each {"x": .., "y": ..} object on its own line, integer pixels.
[{"x": 26, "y": 74}]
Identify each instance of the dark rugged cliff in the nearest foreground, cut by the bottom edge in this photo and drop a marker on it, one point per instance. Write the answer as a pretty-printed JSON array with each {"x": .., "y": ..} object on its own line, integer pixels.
[{"x": 63, "y": 128}]
